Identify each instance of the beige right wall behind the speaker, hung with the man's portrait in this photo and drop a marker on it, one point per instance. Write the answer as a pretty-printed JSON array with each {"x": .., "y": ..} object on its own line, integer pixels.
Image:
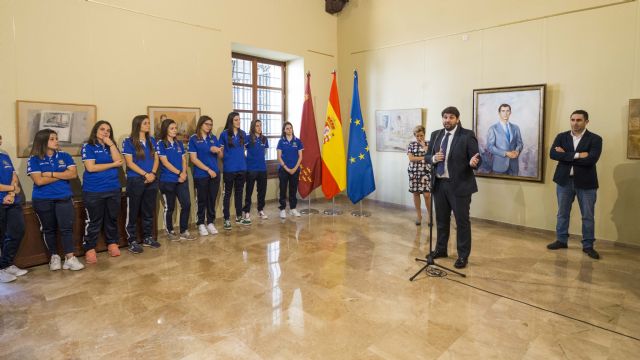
[{"x": 432, "y": 54}]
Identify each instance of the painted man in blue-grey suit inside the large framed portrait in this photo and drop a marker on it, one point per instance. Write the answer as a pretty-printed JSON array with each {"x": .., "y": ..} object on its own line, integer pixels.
[{"x": 504, "y": 142}]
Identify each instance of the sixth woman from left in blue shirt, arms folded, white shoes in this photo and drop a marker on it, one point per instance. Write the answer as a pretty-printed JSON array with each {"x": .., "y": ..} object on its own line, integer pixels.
[{"x": 204, "y": 150}]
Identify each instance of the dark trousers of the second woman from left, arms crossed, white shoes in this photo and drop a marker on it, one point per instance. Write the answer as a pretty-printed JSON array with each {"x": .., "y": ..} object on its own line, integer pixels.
[{"x": 56, "y": 215}]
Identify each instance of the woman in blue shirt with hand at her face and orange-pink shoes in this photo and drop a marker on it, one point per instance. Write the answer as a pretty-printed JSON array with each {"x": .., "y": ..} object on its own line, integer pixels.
[{"x": 101, "y": 190}]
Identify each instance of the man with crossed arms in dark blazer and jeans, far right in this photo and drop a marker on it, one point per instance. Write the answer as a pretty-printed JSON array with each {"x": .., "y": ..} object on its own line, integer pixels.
[{"x": 577, "y": 151}]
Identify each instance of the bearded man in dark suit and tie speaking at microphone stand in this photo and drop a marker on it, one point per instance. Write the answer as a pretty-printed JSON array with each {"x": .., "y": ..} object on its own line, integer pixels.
[{"x": 454, "y": 155}]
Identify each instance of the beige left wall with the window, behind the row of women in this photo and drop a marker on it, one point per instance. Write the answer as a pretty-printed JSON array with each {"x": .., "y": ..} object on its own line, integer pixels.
[{"x": 126, "y": 55}]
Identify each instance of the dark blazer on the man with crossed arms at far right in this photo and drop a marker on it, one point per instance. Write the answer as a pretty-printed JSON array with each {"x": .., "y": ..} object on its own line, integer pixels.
[{"x": 584, "y": 170}]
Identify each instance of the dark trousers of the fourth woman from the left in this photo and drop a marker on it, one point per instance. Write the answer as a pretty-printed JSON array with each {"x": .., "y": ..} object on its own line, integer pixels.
[{"x": 141, "y": 203}]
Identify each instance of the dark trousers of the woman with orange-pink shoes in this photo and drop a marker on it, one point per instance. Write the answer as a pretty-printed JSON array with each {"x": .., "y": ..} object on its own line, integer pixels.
[{"x": 102, "y": 210}]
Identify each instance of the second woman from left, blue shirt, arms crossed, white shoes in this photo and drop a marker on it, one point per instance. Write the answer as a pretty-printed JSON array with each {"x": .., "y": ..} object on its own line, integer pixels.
[{"x": 51, "y": 170}]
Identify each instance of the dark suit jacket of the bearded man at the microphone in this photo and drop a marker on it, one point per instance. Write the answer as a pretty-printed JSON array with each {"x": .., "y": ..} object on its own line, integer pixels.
[{"x": 463, "y": 147}]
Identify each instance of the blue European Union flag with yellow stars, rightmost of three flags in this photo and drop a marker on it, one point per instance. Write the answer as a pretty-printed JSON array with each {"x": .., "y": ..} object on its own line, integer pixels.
[{"x": 360, "y": 181}]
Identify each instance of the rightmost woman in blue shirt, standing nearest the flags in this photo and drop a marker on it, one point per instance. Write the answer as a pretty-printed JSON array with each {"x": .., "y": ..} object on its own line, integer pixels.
[{"x": 289, "y": 157}]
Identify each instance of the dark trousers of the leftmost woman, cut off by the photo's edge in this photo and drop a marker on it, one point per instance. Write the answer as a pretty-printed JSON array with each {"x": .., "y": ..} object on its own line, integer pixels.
[{"x": 12, "y": 232}]
